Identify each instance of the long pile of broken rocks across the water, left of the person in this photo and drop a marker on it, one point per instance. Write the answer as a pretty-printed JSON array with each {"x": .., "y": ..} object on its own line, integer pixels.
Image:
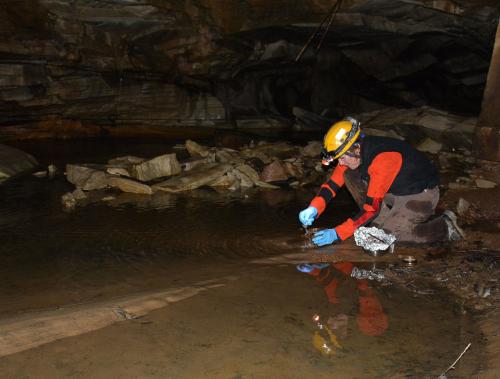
[{"x": 265, "y": 165}]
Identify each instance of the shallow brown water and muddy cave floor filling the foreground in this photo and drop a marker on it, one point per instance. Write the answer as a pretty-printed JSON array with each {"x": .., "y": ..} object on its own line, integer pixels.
[{"x": 205, "y": 284}]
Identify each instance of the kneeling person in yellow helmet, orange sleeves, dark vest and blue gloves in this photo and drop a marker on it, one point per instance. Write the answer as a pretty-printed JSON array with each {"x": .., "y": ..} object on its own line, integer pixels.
[{"x": 395, "y": 186}]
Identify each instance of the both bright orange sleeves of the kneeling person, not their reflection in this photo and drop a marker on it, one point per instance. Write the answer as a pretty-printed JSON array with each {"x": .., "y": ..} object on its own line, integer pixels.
[{"x": 382, "y": 171}]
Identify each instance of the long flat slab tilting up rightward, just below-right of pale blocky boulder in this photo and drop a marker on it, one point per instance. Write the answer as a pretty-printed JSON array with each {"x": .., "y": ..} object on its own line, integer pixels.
[{"x": 197, "y": 177}]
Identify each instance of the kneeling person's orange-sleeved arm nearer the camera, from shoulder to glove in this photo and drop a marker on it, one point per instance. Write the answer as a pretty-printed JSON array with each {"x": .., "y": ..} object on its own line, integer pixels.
[{"x": 382, "y": 171}]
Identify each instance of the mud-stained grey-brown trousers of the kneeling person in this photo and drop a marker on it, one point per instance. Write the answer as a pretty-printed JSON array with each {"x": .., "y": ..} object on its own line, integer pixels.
[{"x": 409, "y": 217}]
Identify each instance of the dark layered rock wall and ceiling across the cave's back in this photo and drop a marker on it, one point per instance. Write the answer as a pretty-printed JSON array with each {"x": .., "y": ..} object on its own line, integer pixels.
[{"x": 206, "y": 62}]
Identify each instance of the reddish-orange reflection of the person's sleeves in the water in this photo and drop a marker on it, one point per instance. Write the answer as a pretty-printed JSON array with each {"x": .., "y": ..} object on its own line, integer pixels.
[{"x": 371, "y": 319}]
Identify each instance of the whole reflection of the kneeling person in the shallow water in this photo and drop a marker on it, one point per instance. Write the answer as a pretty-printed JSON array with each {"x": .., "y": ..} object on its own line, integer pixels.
[{"x": 370, "y": 317}]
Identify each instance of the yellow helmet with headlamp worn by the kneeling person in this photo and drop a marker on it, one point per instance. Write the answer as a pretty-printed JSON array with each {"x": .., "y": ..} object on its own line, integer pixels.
[{"x": 339, "y": 138}]
